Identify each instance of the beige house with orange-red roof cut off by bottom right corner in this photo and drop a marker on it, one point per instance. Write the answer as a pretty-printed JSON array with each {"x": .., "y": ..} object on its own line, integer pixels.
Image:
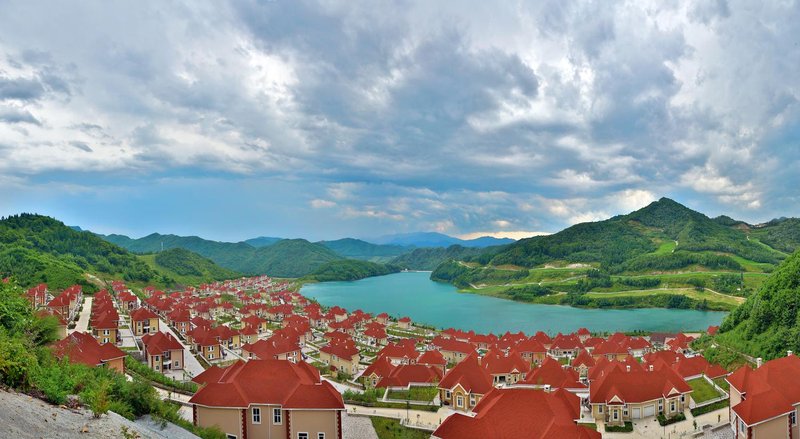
[{"x": 764, "y": 400}]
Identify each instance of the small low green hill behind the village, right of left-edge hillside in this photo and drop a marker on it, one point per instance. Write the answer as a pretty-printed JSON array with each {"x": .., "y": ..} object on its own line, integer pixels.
[{"x": 184, "y": 267}]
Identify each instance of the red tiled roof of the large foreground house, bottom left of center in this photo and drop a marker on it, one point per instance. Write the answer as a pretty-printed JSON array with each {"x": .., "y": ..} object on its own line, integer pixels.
[{"x": 277, "y": 382}]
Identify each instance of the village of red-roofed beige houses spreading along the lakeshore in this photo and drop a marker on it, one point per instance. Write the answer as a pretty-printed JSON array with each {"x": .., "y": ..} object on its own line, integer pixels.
[{"x": 255, "y": 358}]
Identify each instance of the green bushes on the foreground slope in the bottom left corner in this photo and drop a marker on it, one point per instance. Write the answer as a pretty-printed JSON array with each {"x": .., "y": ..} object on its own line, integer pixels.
[{"x": 27, "y": 364}]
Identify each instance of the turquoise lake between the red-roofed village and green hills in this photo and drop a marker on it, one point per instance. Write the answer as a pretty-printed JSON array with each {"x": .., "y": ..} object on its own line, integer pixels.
[{"x": 441, "y": 305}]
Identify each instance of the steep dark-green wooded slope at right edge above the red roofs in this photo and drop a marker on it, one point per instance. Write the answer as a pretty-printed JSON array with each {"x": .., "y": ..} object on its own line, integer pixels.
[{"x": 768, "y": 323}]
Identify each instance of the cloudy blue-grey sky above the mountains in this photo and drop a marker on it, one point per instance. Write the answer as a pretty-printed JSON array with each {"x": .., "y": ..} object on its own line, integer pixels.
[{"x": 231, "y": 120}]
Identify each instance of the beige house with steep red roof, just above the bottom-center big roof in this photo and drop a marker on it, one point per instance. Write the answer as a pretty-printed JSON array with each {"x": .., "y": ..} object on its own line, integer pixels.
[{"x": 463, "y": 386}]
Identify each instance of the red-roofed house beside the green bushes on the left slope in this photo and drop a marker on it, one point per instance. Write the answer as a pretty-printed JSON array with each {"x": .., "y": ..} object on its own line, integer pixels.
[{"x": 83, "y": 348}]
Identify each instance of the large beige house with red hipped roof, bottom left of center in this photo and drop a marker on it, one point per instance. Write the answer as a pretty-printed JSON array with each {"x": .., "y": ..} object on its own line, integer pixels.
[{"x": 268, "y": 398}]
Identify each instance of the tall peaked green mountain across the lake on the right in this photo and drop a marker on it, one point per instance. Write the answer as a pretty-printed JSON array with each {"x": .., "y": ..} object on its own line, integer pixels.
[{"x": 662, "y": 236}]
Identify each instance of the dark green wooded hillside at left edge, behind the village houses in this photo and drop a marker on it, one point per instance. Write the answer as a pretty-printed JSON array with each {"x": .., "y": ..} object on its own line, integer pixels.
[{"x": 35, "y": 248}]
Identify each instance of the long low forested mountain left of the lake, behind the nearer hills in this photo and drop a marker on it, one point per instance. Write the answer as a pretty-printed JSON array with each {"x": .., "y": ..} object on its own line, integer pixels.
[{"x": 284, "y": 258}]
